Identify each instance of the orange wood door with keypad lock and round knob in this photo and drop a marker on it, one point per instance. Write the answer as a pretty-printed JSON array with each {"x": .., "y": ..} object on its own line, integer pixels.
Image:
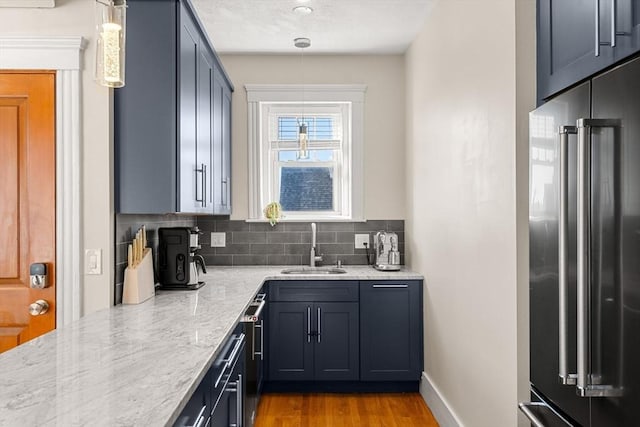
[{"x": 27, "y": 202}]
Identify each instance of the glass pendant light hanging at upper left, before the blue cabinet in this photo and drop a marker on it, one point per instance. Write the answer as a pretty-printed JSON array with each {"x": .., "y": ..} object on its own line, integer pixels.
[{"x": 110, "y": 37}]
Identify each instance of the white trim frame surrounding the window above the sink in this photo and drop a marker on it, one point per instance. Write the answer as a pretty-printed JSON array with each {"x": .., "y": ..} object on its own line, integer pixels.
[{"x": 354, "y": 93}]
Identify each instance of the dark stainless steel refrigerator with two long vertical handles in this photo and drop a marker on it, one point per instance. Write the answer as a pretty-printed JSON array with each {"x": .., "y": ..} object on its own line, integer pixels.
[{"x": 584, "y": 225}]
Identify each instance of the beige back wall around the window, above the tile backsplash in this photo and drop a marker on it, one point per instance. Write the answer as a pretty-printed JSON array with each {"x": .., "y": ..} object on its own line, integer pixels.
[{"x": 384, "y": 132}]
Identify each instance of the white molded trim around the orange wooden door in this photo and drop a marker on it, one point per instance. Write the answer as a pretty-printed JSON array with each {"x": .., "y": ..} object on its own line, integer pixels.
[{"x": 61, "y": 54}]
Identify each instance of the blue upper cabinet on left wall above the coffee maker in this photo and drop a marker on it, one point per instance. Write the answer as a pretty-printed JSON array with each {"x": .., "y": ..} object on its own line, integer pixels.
[{"x": 164, "y": 118}]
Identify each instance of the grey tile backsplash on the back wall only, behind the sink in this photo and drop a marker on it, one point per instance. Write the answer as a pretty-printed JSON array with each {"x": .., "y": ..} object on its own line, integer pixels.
[{"x": 289, "y": 243}]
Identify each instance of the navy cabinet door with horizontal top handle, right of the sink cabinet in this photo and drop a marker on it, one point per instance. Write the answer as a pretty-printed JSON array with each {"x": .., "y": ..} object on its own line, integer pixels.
[{"x": 391, "y": 330}]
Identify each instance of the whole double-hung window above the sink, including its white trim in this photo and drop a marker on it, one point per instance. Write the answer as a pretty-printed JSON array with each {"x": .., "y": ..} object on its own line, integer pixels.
[{"x": 317, "y": 180}]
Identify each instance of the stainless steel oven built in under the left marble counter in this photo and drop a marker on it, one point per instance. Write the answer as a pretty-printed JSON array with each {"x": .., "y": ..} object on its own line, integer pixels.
[{"x": 254, "y": 330}]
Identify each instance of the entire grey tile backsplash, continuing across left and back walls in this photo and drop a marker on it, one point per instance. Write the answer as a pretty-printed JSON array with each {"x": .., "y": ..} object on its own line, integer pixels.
[{"x": 255, "y": 243}]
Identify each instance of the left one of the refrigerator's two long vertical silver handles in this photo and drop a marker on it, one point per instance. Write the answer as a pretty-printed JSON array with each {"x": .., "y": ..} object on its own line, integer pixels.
[{"x": 563, "y": 257}]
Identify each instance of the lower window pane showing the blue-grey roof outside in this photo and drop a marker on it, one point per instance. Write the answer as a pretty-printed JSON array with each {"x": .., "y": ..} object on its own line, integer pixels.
[{"x": 306, "y": 189}]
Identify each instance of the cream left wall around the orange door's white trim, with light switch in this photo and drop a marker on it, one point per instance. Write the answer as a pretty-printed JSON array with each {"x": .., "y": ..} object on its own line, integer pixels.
[{"x": 76, "y": 18}]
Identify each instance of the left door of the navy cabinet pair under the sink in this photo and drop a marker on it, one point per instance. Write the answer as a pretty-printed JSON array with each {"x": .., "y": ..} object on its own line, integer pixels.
[{"x": 290, "y": 341}]
